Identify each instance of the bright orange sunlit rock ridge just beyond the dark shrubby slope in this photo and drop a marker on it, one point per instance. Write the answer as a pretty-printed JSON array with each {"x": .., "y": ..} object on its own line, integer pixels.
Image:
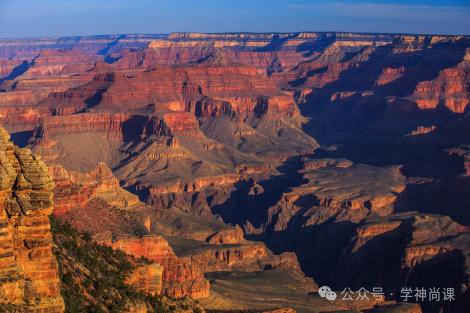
[{"x": 170, "y": 274}]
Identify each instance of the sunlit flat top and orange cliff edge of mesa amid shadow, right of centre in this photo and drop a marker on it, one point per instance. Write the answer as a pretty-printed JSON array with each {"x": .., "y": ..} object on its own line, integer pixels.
[{"x": 337, "y": 189}]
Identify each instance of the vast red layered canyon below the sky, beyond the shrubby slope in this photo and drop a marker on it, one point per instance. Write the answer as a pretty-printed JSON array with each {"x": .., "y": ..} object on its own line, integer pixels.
[{"x": 228, "y": 161}]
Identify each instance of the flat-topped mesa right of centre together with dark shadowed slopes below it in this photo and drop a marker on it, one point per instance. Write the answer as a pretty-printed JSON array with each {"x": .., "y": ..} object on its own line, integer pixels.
[{"x": 332, "y": 195}]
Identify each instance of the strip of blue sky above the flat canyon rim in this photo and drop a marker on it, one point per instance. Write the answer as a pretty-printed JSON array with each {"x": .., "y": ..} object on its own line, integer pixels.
[{"x": 30, "y": 18}]
